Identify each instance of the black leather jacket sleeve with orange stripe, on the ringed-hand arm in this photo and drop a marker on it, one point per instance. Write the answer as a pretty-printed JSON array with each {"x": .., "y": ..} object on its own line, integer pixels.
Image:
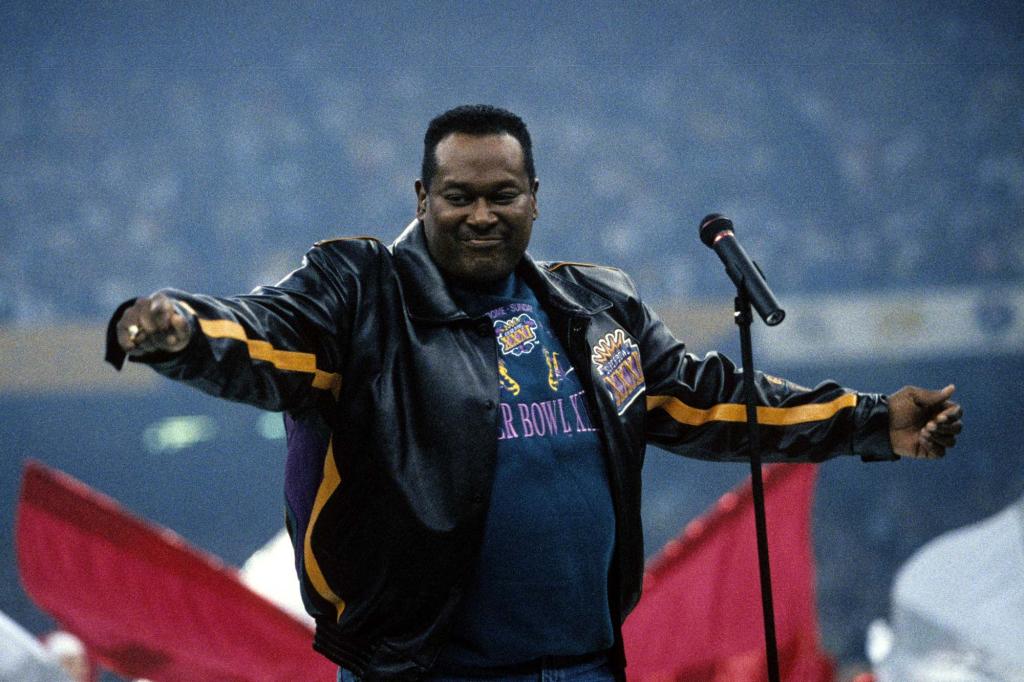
[{"x": 280, "y": 348}]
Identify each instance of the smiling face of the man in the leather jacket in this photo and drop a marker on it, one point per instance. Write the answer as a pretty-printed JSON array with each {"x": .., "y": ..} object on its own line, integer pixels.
[{"x": 481, "y": 208}]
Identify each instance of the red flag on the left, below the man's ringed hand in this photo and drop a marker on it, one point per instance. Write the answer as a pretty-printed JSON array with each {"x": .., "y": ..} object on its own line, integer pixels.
[{"x": 146, "y": 604}]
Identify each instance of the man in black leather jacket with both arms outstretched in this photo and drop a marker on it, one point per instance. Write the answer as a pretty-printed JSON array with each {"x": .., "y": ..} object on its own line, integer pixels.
[{"x": 467, "y": 427}]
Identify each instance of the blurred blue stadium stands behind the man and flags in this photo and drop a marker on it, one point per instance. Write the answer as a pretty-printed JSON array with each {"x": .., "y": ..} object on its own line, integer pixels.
[{"x": 870, "y": 156}]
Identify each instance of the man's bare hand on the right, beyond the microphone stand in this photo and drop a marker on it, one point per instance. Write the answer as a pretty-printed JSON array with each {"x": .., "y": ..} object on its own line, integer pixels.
[{"x": 924, "y": 423}]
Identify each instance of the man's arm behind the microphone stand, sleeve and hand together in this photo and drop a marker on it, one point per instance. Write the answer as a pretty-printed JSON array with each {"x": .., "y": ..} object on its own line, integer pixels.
[{"x": 702, "y": 401}]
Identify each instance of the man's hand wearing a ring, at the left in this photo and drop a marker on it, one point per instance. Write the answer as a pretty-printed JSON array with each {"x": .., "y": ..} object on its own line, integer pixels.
[{"x": 153, "y": 325}]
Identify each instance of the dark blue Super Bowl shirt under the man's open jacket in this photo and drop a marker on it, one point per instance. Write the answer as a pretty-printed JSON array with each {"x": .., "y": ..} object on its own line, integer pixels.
[{"x": 541, "y": 585}]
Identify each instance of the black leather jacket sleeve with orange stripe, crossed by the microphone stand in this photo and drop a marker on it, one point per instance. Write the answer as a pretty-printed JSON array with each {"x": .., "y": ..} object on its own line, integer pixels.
[{"x": 696, "y": 407}]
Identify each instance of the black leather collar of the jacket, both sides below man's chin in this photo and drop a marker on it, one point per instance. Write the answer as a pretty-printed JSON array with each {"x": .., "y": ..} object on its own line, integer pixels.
[{"x": 429, "y": 299}]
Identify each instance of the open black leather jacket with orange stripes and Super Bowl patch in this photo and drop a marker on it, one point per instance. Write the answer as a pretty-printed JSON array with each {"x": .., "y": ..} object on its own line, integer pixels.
[{"x": 392, "y": 393}]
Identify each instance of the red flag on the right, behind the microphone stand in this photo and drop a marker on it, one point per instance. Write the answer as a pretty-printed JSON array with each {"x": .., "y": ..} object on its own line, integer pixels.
[{"x": 700, "y": 619}]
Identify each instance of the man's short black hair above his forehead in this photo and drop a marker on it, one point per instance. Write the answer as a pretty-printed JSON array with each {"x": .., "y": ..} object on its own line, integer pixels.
[{"x": 475, "y": 120}]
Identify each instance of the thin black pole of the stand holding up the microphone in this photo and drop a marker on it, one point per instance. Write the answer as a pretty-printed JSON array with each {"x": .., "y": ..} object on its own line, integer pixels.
[{"x": 744, "y": 319}]
